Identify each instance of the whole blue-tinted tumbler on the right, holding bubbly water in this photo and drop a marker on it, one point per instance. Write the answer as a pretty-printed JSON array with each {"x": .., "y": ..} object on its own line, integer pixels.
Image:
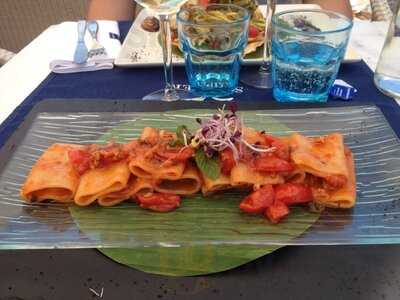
[{"x": 307, "y": 49}]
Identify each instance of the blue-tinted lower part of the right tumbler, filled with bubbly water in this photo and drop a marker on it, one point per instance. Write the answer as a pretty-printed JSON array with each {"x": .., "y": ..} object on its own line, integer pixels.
[{"x": 304, "y": 71}]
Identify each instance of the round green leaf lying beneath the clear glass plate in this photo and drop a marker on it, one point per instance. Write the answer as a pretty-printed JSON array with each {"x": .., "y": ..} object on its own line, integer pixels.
[{"x": 205, "y": 235}]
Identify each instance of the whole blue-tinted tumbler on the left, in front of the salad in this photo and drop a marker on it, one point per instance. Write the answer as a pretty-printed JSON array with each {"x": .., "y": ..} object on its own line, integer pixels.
[{"x": 212, "y": 39}]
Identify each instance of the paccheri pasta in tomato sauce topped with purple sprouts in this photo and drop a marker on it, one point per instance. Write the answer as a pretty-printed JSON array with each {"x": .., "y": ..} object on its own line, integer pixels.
[{"x": 159, "y": 167}]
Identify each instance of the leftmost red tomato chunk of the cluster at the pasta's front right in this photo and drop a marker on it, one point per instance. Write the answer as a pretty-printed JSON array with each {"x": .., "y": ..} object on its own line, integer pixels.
[{"x": 258, "y": 201}]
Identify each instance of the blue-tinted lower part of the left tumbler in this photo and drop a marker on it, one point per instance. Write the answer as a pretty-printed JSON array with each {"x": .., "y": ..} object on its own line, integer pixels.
[{"x": 212, "y": 73}]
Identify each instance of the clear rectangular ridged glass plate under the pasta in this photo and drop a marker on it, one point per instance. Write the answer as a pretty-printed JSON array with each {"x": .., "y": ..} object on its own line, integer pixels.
[{"x": 374, "y": 220}]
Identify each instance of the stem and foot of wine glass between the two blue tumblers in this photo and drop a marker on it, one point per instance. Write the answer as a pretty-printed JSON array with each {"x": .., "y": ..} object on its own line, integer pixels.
[{"x": 263, "y": 78}]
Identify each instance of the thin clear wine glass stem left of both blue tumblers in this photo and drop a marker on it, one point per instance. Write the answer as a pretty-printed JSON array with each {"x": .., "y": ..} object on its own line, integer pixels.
[{"x": 165, "y": 27}]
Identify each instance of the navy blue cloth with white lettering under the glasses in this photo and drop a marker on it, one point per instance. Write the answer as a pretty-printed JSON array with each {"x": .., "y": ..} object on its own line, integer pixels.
[{"x": 133, "y": 83}]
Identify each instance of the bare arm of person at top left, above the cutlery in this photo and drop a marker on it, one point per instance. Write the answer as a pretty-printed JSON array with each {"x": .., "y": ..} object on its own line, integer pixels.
[{"x": 111, "y": 10}]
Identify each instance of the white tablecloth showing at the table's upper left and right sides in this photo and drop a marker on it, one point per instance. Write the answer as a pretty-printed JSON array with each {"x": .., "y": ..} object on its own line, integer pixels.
[{"x": 24, "y": 73}]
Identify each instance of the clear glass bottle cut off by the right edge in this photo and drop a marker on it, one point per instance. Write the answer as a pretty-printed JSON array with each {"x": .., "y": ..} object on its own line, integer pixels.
[{"x": 387, "y": 73}]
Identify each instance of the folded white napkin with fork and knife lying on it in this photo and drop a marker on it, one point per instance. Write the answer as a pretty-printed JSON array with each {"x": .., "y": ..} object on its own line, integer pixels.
[{"x": 69, "y": 56}]
